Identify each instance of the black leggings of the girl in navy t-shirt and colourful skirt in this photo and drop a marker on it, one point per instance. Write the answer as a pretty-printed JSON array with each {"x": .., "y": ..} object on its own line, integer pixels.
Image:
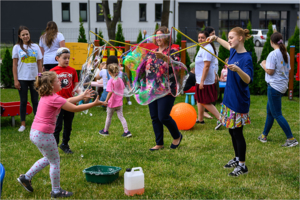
[{"x": 239, "y": 143}]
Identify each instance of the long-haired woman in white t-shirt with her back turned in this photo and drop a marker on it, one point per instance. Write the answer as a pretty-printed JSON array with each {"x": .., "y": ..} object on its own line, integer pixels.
[{"x": 50, "y": 41}]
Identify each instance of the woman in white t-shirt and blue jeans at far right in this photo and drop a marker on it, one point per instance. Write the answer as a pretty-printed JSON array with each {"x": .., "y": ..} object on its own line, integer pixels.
[{"x": 277, "y": 69}]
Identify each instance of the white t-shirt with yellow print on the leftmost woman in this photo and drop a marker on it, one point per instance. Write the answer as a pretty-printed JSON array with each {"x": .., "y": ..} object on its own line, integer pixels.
[{"x": 27, "y": 63}]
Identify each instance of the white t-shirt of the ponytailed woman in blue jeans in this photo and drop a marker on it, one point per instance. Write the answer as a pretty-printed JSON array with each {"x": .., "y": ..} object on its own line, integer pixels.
[{"x": 279, "y": 80}]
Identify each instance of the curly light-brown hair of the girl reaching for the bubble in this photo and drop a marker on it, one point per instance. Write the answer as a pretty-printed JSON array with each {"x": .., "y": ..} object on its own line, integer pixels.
[{"x": 44, "y": 83}]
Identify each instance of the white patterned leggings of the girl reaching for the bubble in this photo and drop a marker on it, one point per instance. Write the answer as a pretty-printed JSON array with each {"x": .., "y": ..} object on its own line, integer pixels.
[{"x": 46, "y": 143}]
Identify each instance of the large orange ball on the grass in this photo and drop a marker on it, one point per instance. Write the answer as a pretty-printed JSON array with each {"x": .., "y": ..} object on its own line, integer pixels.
[{"x": 184, "y": 115}]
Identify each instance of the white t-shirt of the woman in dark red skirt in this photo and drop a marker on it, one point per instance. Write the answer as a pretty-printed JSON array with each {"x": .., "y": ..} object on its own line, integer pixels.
[{"x": 199, "y": 61}]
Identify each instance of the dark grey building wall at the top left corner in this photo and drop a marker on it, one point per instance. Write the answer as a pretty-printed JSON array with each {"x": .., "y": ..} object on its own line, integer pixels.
[{"x": 33, "y": 14}]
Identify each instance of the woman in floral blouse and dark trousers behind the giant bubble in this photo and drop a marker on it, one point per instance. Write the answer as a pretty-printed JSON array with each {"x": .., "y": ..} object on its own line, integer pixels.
[{"x": 160, "y": 109}]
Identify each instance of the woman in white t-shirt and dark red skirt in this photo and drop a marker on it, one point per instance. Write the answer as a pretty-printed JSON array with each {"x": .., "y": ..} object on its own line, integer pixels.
[{"x": 206, "y": 92}]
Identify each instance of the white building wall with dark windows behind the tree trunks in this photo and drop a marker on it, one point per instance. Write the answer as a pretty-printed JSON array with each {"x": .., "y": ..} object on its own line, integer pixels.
[{"x": 129, "y": 18}]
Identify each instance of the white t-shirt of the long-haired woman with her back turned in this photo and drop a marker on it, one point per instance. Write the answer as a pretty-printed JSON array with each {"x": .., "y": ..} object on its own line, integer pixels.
[{"x": 50, "y": 53}]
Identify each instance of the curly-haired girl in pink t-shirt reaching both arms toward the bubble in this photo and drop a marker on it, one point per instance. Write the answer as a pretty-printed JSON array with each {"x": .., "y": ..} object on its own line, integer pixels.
[{"x": 41, "y": 134}]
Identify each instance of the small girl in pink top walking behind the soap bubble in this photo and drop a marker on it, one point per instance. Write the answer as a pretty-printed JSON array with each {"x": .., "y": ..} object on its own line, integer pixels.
[{"x": 115, "y": 102}]
